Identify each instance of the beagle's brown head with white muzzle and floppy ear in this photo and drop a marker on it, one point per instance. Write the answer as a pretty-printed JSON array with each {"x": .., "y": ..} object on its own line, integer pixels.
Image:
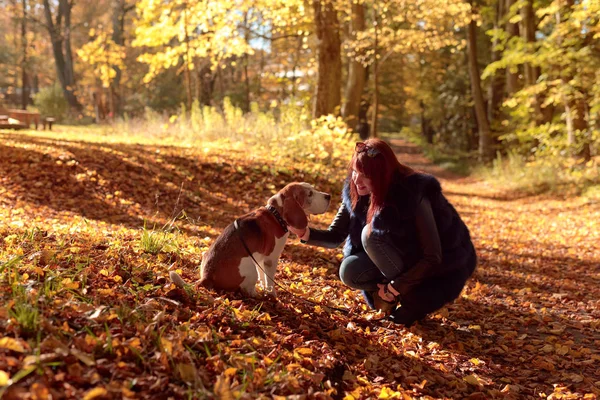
[{"x": 299, "y": 199}]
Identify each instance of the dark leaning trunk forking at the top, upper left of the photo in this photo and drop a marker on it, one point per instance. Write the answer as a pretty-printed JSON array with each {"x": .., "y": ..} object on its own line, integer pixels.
[{"x": 60, "y": 37}]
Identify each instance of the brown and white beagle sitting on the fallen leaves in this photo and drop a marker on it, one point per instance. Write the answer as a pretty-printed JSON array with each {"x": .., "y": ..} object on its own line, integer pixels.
[{"x": 227, "y": 265}]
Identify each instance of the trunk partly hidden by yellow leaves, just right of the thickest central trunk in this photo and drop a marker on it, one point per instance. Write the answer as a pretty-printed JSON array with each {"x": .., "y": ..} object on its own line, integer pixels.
[{"x": 357, "y": 73}]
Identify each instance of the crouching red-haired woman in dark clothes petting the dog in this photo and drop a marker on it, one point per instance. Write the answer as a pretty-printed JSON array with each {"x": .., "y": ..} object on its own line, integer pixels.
[{"x": 405, "y": 243}]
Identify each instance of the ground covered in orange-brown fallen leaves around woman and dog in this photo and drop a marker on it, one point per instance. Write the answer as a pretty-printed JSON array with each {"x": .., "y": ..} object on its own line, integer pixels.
[{"x": 87, "y": 310}]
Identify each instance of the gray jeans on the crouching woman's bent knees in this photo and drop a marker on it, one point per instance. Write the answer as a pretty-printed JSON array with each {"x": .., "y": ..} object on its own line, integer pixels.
[{"x": 380, "y": 263}]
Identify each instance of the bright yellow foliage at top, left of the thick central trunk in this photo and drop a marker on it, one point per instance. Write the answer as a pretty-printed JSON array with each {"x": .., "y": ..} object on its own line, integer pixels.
[{"x": 193, "y": 34}]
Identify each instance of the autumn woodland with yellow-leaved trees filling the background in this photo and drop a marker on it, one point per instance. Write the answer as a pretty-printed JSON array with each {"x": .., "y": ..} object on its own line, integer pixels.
[{"x": 477, "y": 79}]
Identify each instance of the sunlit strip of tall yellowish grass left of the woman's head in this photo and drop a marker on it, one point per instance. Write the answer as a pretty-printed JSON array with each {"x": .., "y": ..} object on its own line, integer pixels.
[{"x": 283, "y": 132}]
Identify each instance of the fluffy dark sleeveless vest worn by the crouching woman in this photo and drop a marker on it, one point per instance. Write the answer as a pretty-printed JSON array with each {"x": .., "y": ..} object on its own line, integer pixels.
[{"x": 397, "y": 219}]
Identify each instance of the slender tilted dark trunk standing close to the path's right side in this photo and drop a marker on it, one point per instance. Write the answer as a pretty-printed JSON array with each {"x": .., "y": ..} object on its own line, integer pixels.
[{"x": 485, "y": 142}]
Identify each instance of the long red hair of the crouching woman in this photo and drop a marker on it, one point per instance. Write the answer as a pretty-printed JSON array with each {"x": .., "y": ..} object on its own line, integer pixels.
[{"x": 377, "y": 161}]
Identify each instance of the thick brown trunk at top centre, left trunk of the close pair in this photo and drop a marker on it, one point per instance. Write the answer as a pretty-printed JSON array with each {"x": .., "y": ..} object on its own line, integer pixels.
[{"x": 329, "y": 81}]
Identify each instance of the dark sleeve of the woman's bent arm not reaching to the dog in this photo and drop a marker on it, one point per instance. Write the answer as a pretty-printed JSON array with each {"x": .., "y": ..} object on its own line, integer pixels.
[{"x": 429, "y": 239}]
